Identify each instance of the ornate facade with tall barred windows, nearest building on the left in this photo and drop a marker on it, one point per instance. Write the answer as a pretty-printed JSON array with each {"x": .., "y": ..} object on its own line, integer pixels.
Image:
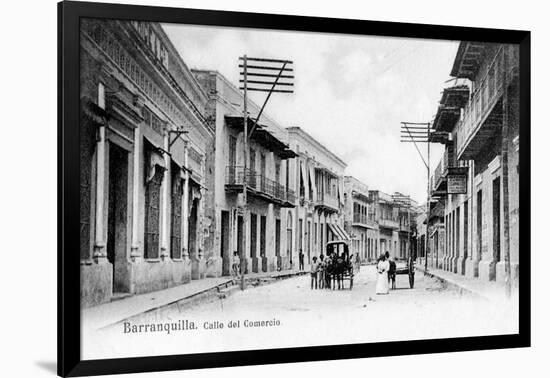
[{"x": 144, "y": 184}]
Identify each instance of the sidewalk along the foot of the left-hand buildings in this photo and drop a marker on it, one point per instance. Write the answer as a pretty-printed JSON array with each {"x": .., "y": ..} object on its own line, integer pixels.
[{"x": 113, "y": 312}]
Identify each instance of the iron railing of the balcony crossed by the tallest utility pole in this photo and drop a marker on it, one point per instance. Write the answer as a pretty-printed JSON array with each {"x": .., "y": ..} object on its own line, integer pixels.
[{"x": 234, "y": 176}]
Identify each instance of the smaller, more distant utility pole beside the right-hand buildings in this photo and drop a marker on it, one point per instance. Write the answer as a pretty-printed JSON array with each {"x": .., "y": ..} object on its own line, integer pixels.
[{"x": 419, "y": 132}]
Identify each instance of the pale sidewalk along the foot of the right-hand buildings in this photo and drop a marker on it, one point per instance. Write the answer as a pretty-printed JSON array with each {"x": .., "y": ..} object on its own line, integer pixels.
[{"x": 488, "y": 290}]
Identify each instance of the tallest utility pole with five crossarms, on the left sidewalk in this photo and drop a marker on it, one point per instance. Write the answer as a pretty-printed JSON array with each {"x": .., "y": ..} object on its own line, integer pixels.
[{"x": 265, "y": 78}]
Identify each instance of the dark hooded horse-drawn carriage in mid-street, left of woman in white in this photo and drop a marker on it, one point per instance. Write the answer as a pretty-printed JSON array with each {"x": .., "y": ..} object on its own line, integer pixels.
[{"x": 340, "y": 266}]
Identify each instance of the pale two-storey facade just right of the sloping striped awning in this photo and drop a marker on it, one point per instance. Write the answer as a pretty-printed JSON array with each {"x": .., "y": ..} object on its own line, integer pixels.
[{"x": 359, "y": 218}]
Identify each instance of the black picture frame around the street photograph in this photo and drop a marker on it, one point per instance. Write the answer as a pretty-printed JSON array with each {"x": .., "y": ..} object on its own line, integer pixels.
[{"x": 69, "y": 361}]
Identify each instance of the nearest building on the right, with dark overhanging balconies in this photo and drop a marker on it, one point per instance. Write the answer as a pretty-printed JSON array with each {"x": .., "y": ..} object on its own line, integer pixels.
[{"x": 477, "y": 180}]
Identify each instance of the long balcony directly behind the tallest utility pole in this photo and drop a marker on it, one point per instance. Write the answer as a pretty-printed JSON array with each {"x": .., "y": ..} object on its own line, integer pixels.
[{"x": 258, "y": 186}]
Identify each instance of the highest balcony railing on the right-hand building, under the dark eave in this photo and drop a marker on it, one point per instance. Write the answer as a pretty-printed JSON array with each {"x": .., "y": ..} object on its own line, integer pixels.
[{"x": 487, "y": 92}]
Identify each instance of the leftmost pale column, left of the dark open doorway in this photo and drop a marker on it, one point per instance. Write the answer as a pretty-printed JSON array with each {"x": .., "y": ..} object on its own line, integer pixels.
[{"x": 100, "y": 253}]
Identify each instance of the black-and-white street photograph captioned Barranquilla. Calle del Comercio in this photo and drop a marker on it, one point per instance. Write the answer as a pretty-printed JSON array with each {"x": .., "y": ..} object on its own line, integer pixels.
[{"x": 246, "y": 189}]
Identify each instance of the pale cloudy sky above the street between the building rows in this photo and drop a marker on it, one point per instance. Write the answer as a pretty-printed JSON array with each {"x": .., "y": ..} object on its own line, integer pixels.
[{"x": 351, "y": 93}]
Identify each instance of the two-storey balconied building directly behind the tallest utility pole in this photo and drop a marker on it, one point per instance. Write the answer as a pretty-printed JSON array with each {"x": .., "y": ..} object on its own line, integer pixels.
[{"x": 267, "y": 237}]
